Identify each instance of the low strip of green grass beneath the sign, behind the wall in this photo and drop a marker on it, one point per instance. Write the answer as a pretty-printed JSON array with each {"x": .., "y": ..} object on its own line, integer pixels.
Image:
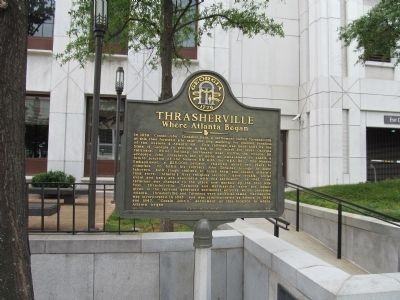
[{"x": 142, "y": 225}]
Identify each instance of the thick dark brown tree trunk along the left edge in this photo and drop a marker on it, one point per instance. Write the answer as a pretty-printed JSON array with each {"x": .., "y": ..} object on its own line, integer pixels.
[{"x": 15, "y": 274}]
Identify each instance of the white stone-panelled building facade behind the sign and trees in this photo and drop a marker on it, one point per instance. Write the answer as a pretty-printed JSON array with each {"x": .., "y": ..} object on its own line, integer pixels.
[{"x": 339, "y": 119}]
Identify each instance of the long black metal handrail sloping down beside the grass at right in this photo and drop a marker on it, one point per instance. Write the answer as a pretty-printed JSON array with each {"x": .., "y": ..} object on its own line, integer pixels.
[{"x": 340, "y": 204}]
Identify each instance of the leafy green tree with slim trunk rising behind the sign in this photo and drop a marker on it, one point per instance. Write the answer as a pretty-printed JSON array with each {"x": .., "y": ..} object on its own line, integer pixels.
[{"x": 163, "y": 26}]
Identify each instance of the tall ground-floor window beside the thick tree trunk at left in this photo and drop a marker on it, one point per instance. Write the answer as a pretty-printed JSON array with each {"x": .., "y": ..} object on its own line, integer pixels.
[{"x": 36, "y": 133}]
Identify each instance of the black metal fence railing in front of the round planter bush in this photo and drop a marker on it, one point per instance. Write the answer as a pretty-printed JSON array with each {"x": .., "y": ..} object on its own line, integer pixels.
[{"x": 54, "y": 208}]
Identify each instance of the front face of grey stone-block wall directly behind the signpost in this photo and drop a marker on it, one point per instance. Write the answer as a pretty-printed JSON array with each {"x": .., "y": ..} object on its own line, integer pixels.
[{"x": 146, "y": 266}]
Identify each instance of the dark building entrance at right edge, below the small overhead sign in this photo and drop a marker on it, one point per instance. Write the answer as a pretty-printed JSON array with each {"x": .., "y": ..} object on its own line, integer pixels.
[{"x": 383, "y": 153}]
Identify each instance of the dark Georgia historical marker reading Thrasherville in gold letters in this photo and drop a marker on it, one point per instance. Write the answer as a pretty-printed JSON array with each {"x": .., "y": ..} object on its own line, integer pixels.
[{"x": 202, "y": 154}]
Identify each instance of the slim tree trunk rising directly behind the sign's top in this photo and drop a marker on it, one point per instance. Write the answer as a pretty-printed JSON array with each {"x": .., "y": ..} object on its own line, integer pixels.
[{"x": 166, "y": 49}]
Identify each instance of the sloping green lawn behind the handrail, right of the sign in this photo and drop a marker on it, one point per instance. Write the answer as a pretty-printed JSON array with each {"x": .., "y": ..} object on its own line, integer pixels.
[{"x": 382, "y": 196}]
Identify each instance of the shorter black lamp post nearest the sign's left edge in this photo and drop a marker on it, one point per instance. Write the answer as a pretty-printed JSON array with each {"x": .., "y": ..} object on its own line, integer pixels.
[{"x": 119, "y": 87}]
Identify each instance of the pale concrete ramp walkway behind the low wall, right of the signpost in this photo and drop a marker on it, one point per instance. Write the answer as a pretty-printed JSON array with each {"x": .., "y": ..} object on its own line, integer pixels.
[{"x": 305, "y": 242}]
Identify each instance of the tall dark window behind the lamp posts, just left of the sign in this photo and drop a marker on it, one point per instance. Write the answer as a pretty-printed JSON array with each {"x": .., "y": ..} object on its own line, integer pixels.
[{"x": 107, "y": 135}]
